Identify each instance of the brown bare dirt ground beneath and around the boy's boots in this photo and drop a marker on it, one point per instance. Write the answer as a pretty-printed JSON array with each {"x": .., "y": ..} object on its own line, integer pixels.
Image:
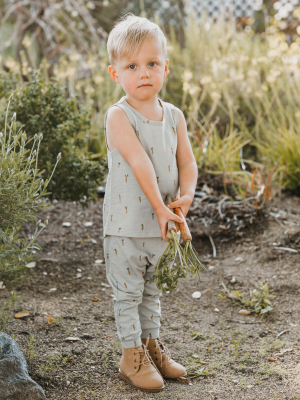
[{"x": 230, "y": 354}]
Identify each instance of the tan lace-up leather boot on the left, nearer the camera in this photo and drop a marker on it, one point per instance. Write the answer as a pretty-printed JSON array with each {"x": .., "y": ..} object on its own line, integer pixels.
[{"x": 137, "y": 368}]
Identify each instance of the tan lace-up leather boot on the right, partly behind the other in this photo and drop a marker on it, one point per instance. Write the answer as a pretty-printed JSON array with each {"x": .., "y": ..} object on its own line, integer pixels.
[{"x": 162, "y": 359}]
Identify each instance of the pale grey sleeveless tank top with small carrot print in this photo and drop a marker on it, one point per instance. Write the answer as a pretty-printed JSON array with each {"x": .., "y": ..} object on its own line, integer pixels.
[{"x": 126, "y": 209}]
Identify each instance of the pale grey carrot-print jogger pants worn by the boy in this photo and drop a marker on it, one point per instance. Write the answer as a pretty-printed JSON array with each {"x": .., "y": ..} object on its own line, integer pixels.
[{"x": 130, "y": 262}]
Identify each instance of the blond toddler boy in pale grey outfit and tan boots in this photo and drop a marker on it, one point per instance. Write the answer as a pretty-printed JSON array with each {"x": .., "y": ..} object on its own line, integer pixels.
[{"x": 149, "y": 156}]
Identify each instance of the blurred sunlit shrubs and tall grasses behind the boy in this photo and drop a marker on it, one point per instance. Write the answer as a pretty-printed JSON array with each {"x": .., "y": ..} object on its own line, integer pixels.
[{"x": 236, "y": 78}]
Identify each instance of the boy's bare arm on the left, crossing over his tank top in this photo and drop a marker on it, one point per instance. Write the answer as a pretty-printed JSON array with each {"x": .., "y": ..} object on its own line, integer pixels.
[{"x": 125, "y": 140}]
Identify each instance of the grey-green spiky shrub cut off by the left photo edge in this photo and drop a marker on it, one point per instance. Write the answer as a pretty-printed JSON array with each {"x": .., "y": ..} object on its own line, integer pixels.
[{"x": 21, "y": 196}]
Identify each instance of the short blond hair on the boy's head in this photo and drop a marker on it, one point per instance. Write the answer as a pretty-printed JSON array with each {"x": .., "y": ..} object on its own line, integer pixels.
[{"x": 128, "y": 35}]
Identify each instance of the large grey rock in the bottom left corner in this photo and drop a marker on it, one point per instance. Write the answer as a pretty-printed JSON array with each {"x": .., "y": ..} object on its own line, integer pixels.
[{"x": 15, "y": 381}]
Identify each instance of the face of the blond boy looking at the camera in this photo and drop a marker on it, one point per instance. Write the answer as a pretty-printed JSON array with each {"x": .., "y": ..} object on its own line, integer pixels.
[{"x": 148, "y": 67}]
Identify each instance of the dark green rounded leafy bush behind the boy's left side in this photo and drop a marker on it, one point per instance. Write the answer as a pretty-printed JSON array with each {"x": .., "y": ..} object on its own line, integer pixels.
[{"x": 45, "y": 107}]
